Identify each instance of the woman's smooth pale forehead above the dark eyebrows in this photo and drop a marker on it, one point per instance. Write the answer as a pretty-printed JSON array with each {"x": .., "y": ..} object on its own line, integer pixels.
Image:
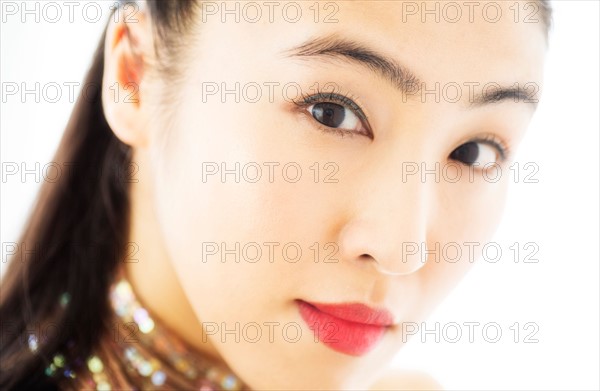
[{"x": 441, "y": 41}]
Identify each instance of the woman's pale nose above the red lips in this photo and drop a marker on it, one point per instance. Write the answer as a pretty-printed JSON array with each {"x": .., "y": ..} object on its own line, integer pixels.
[{"x": 387, "y": 229}]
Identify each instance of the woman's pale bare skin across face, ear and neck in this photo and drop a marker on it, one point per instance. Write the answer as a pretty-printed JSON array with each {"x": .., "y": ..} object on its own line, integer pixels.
[{"x": 369, "y": 212}]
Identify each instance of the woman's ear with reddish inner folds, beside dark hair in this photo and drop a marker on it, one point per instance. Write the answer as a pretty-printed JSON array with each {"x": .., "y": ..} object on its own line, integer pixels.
[{"x": 128, "y": 47}]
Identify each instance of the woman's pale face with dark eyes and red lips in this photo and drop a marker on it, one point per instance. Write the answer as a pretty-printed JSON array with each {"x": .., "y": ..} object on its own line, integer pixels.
[{"x": 344, "y": 152}]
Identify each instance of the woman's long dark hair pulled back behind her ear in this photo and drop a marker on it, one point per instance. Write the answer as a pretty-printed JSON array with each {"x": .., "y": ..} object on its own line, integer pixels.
[{"x": 79, "y": 227}]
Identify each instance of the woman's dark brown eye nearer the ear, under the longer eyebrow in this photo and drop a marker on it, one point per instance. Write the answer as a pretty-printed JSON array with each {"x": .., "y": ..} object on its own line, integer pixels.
[{"x": 337, "y": 114}]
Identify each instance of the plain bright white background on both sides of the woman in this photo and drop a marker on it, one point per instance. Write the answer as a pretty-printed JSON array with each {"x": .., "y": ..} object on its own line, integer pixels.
[{"x": 559, "y": 294}]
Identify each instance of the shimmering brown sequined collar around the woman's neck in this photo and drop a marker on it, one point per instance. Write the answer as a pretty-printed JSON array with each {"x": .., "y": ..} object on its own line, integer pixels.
[{"x": 141, "y": 354}]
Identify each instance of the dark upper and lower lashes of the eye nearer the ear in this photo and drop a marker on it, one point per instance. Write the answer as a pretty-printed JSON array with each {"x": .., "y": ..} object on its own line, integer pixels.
[{"x": 345, "y": 100}]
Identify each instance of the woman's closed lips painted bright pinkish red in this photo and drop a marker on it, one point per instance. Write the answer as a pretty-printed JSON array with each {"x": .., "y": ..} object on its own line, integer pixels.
[{"x": 349, "y": 328}]
